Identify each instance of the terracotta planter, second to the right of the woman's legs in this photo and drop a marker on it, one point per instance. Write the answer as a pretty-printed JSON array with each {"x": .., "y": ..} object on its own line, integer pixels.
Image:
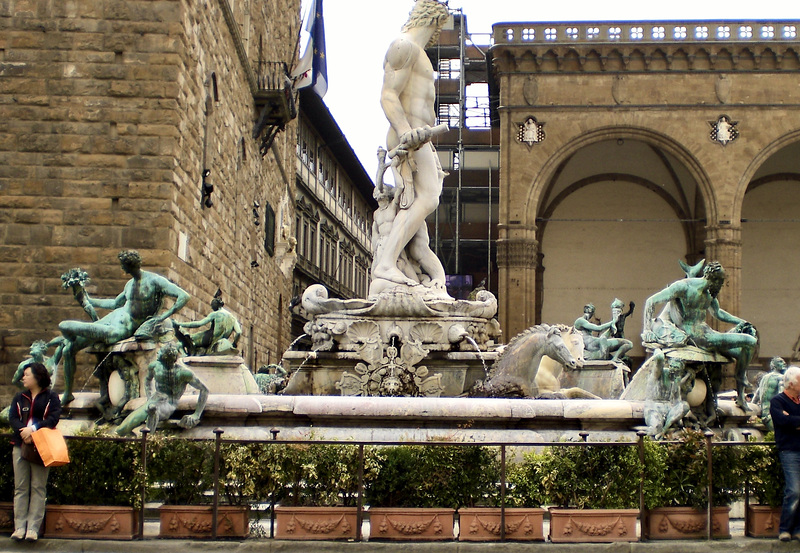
[{"x": 194, "y": 521}]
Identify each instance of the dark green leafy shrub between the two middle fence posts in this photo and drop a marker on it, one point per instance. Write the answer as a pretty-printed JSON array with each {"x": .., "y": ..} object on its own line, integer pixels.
[{"x": 435, "y": 476}]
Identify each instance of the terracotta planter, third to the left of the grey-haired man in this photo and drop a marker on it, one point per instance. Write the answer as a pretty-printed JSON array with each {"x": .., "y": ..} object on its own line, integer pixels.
[{"x": 592, "y": 525}]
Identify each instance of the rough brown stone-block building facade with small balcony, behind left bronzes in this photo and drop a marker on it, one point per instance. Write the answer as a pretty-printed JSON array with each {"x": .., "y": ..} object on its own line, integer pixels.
[{"x": 116, "y": 118}]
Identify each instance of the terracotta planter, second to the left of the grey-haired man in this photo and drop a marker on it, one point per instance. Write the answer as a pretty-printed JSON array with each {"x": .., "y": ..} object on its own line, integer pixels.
[{"x": 686, "y": 523}]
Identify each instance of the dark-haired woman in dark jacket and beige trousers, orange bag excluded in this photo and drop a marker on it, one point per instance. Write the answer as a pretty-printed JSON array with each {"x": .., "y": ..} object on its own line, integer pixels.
[{"x": 31, "y": 409}]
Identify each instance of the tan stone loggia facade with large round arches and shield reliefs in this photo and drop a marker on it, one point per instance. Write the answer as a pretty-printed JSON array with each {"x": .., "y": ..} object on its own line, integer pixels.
[{"x": 626, "y": 147}]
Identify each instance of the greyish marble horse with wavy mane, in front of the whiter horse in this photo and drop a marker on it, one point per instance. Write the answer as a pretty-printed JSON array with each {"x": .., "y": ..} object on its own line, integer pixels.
[{"x": 514, "y": 372}]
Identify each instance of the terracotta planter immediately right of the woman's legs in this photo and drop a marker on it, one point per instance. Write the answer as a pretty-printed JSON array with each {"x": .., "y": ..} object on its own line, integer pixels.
[{"x": 95, "y": 522}]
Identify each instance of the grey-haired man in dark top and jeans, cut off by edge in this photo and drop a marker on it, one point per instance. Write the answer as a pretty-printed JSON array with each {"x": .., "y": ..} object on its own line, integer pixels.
[{"x": 785, "y": 412}]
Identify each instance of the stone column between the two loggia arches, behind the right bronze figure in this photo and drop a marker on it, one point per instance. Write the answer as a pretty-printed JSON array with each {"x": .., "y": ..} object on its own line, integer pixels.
[{"x": 724, "y": 244}]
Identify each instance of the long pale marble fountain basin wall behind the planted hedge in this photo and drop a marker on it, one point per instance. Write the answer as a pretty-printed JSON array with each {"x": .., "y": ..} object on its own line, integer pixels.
[{"x": 392, "y": 419}]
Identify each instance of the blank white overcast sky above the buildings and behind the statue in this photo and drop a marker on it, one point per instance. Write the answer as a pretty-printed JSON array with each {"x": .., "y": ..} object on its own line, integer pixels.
[{"x": 359, "y": 31}]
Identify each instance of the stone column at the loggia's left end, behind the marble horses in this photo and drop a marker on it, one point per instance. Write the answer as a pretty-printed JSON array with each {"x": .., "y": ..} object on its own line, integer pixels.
[{"x": 517, "y": 256}]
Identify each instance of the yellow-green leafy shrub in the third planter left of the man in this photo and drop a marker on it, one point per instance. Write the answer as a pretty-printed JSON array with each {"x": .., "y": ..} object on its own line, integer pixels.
[{"x": 591, "y": 477}]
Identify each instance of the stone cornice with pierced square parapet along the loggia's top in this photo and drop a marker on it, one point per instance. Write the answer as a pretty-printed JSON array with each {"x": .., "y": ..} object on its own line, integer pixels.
[{"x": 725, "y": 46}]
